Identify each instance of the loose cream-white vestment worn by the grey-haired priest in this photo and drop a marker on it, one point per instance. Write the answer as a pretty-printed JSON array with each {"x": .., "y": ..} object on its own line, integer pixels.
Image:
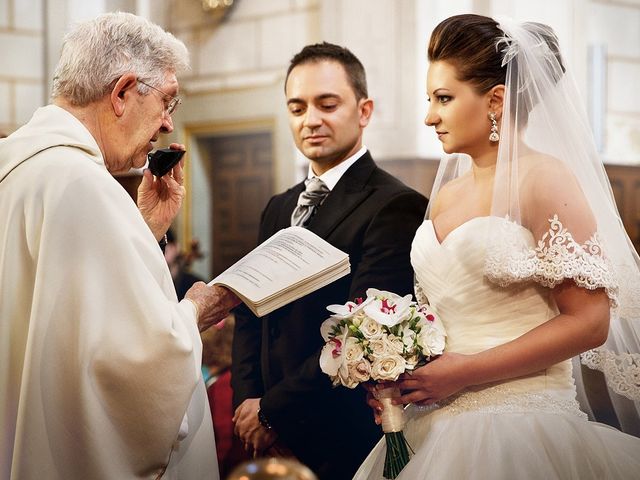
[{"x": 99, "y": 363}]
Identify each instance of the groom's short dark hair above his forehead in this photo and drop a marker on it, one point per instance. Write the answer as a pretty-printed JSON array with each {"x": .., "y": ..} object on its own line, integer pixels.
[{"x": 335, "y": 53}]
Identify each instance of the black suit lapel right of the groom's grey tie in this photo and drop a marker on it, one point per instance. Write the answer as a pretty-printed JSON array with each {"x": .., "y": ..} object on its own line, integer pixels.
[{"x": 350, "y": 191}]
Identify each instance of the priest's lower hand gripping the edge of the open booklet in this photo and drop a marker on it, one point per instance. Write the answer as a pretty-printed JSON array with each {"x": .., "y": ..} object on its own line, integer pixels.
[{"x": 213, "y": 304}]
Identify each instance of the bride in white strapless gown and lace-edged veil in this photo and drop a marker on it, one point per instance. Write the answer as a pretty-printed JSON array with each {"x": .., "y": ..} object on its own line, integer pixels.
[{"x": 526, "y": 262}]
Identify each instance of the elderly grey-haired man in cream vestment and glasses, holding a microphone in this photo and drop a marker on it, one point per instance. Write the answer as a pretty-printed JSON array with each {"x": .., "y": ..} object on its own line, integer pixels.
[{"x": 99, "y": 363}]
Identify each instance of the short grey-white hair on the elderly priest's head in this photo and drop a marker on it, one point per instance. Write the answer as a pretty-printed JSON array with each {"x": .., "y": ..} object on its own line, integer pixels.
[{"x": 96, "y": 53}]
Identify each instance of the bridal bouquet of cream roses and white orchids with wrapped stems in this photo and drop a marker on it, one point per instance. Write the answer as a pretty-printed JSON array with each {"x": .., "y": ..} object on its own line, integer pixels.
[{"x": 378, "y": 339}]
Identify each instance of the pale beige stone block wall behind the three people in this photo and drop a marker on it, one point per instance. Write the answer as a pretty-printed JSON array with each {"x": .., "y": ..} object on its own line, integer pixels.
[{"x": 247, "y": 54}]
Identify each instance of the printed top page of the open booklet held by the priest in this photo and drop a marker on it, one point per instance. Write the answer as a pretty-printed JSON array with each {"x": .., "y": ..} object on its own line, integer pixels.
[{"x": 284, "y": 260}]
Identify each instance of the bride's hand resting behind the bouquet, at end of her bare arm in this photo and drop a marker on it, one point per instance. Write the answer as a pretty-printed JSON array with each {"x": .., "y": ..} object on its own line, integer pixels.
[{"x": 435, "y": 381}]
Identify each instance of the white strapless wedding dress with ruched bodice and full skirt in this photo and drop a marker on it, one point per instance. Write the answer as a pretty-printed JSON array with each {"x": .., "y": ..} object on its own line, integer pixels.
[{"x": 529, "y": 427}]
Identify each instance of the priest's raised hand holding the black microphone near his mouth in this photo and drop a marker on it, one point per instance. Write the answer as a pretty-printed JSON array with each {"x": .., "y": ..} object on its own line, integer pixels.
[{"x": 160, "y": 199}]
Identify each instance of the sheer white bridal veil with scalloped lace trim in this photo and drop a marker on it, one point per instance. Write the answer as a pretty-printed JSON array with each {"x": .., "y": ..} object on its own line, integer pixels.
[{"x": 550, "y": 181}]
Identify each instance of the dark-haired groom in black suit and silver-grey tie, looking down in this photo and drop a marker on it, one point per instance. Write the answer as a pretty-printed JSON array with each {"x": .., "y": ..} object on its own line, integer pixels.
[{"x": 284, "y": 402}]
